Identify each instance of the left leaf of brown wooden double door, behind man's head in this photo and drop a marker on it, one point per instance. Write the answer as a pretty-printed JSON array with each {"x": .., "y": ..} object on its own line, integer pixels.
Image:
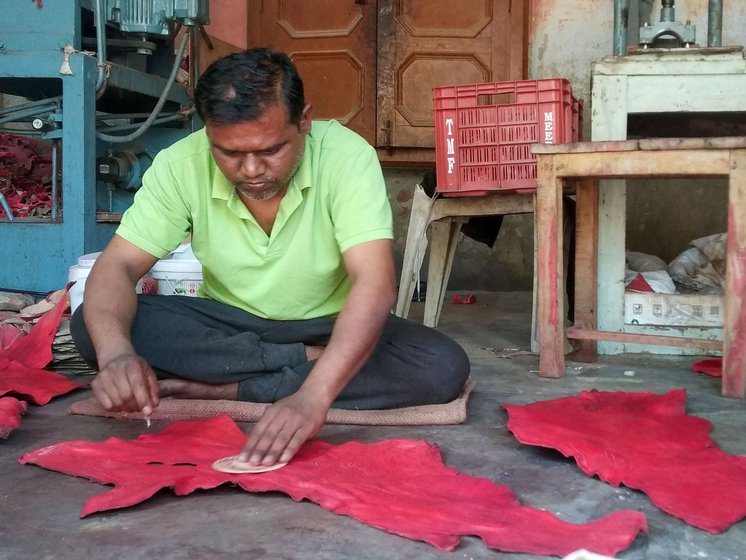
[{"x": 332, "y": 42}]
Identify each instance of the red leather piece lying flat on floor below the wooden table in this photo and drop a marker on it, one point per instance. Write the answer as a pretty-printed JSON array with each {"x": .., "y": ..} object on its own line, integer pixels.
[{"x": 646, "y": 442}]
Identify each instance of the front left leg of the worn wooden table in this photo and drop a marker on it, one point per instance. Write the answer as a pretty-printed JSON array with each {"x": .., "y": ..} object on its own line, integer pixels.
[{"x": 550, "y": 274}]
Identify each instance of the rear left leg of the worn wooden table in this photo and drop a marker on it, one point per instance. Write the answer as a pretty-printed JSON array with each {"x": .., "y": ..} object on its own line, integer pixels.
[{"x": 586, "y": 264}]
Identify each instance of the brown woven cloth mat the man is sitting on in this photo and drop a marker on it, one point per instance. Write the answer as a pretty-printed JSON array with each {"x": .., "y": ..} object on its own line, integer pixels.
[{"x": 453, "y": 412}]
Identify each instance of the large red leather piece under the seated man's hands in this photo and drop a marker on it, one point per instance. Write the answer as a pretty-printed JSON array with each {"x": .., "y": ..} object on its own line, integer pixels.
[{"x": 399, "y": 486}]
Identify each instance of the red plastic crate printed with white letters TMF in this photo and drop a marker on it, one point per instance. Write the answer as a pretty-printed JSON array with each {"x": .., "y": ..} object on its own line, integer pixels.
[{"x": 484, "y": 147}]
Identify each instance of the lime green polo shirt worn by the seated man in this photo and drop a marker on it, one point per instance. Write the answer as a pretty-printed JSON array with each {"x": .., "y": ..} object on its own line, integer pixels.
[{"x": 336, "y": 200}]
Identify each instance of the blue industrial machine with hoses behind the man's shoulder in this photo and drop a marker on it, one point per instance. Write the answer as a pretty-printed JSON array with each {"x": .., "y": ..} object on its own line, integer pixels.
[{"x": 98, "y": 80}]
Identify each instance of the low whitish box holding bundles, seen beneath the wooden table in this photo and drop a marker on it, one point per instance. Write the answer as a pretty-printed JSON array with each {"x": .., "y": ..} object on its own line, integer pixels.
[{"x": 681, "y": 310}]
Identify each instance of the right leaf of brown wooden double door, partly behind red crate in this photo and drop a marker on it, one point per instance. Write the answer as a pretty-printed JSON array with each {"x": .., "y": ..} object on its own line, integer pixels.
[{"x": 427, "y": 43}]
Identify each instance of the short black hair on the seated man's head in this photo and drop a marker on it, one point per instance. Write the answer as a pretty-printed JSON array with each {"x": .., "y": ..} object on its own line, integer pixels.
[{"x": 239, "y": 87}]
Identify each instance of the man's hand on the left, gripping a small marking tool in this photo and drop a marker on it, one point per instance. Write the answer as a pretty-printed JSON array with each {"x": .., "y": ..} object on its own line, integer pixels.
[{"x": 126, "y": 384}]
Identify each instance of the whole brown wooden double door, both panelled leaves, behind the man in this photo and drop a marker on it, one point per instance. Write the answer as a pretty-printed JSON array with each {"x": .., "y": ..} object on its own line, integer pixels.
[{"x": 372, "y": 64}]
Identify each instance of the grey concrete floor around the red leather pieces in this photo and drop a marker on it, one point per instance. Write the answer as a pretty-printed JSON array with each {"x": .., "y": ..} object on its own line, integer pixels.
[{"x": 39, "y": 509}]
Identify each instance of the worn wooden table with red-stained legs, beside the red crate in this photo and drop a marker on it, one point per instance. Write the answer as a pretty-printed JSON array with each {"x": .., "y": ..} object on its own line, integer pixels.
[{"x": 587, "y": 163}]
